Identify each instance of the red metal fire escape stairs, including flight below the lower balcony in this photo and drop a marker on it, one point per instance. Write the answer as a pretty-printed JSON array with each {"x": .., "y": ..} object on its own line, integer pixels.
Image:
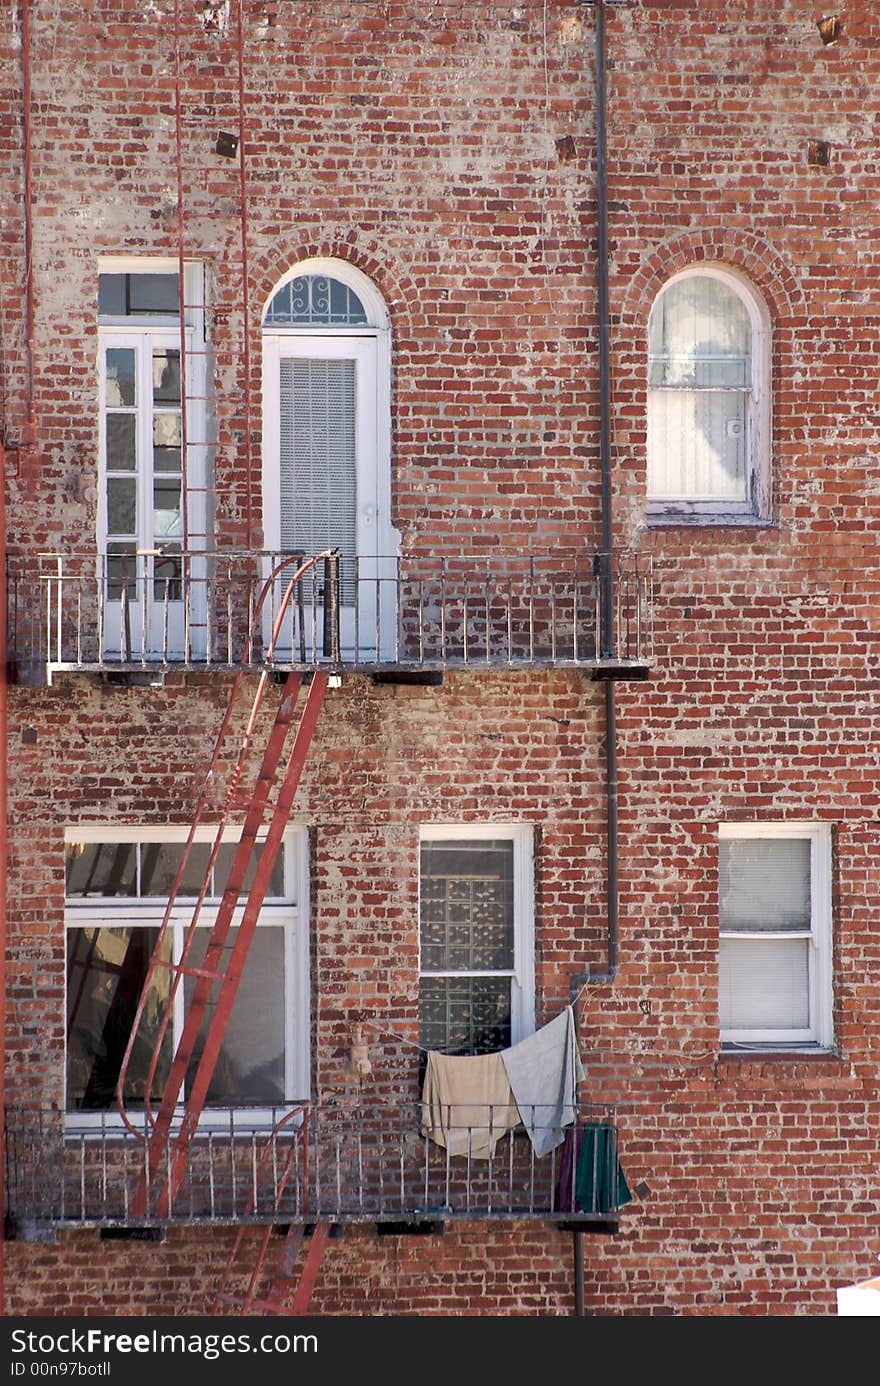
[{"x": 171, "y": 1123}]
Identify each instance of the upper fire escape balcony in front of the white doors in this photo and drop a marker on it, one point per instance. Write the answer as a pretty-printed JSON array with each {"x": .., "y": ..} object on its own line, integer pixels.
[{"x": 415, "y": 617}]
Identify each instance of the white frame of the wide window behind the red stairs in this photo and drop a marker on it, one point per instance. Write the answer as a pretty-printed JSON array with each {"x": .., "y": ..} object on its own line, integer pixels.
[{"x": 290, "y": 911}]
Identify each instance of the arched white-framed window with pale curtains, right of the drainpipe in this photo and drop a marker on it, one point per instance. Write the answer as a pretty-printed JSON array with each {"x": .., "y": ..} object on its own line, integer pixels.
[{"x": 709, "y": 400}]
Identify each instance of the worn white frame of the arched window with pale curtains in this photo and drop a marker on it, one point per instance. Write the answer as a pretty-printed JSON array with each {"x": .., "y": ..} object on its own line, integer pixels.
[{"x": 756, "y": 508}]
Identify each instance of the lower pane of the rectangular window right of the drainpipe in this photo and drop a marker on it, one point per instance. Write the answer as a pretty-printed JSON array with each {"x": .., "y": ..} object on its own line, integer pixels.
[{"x": 764, "y": 985}]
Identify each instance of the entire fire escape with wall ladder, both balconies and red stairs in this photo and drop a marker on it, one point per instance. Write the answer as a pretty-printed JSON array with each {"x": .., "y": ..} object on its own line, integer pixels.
[{"x": 433, "y": 613}]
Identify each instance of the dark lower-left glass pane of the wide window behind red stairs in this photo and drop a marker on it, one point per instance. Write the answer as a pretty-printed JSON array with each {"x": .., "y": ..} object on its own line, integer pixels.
[{"x": 106, "y": 975}]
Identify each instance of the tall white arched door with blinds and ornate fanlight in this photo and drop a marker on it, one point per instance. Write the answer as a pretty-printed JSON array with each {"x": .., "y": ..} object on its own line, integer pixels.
[{"x": 328, "y": 439}]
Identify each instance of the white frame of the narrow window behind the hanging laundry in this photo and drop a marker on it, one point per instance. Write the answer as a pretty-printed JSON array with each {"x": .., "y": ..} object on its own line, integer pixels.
[{"x": 523, "y": 972}]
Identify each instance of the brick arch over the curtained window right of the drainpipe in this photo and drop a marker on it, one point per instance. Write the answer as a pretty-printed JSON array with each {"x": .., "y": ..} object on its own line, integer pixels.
[{"x": 742, "y": 252}]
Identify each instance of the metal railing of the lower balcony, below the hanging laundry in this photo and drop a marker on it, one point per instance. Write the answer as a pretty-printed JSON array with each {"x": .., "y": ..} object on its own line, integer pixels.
[{"x": 333, "y": 1164}]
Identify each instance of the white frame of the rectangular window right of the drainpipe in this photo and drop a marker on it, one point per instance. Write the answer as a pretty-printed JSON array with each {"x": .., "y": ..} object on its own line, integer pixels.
[{"x": 820, "y": 1032}]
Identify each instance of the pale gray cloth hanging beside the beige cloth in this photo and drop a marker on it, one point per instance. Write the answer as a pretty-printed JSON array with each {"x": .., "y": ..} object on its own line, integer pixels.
[{"x": 544, "y": 1073}]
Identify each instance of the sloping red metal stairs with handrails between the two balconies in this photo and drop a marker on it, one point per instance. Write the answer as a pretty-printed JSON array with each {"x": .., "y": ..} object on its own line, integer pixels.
[{"x": 171, "y": 1128}]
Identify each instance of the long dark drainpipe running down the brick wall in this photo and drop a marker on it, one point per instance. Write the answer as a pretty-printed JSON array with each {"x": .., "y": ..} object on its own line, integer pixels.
[{"x": 605, "y": 561}]
